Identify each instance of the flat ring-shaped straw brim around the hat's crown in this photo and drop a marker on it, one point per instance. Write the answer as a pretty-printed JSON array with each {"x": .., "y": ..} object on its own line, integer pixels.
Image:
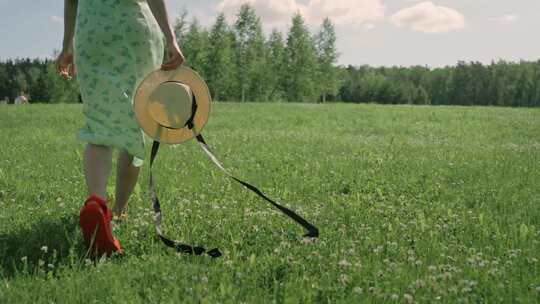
[{"x": 142, "y": 97}]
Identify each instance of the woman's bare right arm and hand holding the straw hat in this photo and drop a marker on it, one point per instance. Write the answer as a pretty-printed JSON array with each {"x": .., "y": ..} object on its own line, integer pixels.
[{"x": 176, "y": 58}]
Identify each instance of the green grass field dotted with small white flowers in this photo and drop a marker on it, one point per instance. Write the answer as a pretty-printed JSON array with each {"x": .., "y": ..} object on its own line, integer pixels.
[{"x": 414, "y": 204}]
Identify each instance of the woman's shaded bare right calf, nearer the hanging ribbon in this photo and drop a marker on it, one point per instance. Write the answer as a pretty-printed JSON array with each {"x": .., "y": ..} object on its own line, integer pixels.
[{"x": 126, "y": 179}]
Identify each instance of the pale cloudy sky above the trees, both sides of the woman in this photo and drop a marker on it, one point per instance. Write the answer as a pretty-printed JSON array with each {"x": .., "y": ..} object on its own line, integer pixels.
[{"x": 375, "y": 32}]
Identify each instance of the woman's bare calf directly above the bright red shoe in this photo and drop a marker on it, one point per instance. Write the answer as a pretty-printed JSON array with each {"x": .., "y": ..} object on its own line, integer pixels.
[{"x": 97, "y": 169}]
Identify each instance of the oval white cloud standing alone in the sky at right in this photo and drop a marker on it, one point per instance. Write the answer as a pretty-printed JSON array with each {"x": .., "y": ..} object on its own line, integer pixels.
[{"x": 429, "y": 18}]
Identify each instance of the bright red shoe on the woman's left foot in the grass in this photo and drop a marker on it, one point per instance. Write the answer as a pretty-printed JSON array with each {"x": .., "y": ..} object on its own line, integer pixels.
[{"x": 95, "y": 221}]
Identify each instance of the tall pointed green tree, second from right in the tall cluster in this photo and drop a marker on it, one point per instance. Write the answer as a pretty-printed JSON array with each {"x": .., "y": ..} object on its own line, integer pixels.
[{"x": 301, "y": 61}]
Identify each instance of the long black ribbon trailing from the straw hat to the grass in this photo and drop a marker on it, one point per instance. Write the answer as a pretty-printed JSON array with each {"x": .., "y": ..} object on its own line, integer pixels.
[{"x": 312, "y": 231}]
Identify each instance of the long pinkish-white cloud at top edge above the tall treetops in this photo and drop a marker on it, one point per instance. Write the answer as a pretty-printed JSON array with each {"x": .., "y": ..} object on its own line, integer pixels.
[{"x": 278, "y": 12}]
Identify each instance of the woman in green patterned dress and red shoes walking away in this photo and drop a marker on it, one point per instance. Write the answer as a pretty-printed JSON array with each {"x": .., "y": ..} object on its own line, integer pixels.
[{"x": 114, "y": 44}]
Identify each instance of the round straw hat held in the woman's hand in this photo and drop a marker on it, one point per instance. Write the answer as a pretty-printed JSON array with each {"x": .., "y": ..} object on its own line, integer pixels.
[{"x": 167, "y": 102}]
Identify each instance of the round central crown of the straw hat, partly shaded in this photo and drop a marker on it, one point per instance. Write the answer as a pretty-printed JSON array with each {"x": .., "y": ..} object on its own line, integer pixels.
[{"x": 170, "y": 104}]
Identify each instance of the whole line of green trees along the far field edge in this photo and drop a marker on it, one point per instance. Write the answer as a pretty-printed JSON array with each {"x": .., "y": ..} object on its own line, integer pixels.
[{"x": 241, "y": 63}]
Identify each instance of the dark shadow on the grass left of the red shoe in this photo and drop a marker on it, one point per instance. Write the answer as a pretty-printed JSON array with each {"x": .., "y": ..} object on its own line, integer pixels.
[{"x": 42, "y": 246}]
